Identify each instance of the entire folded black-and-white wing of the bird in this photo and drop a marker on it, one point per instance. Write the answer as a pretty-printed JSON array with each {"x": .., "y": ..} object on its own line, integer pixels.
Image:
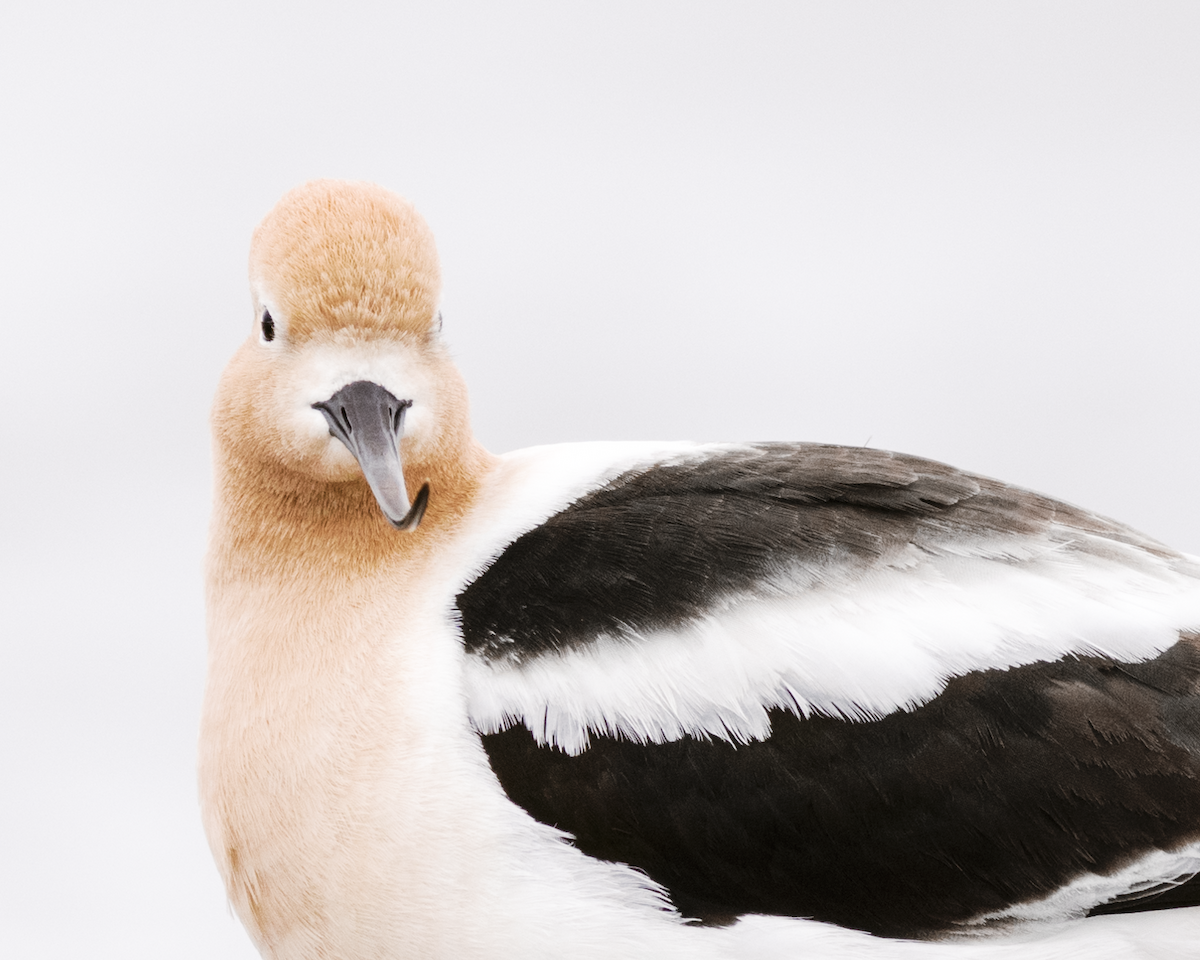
[{"x": 849, "y": 685}]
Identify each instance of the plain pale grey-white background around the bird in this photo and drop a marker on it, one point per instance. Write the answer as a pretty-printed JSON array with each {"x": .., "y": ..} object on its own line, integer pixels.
[{"x": 962, "y": 230}]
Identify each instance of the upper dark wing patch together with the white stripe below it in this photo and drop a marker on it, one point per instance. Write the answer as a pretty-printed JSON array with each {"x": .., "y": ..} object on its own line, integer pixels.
[{"x": 697, "y": 595}]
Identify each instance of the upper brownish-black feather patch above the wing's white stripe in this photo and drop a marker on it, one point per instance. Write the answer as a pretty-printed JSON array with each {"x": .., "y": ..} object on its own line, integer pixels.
[{"x": 663, "y": 545}]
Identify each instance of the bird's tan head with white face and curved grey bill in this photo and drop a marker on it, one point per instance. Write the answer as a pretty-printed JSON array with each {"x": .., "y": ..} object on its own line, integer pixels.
[{"x": 344, "y": 376}]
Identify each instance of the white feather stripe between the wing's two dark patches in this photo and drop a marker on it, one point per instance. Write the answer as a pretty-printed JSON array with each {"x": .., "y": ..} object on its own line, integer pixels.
[{"x": 887, "y": 641}]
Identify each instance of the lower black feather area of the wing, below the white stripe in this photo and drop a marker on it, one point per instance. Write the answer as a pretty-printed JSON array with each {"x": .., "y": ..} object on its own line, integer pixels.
[{"x": 1001, "y": 790}]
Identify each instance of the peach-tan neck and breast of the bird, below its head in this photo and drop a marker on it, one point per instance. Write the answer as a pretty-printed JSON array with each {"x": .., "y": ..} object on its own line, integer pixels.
[{"x": 327, "y": 676}]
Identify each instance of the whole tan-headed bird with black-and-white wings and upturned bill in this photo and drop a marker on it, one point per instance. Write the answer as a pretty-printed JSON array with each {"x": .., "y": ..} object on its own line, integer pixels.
[{"x": 658, "y": 700}]
